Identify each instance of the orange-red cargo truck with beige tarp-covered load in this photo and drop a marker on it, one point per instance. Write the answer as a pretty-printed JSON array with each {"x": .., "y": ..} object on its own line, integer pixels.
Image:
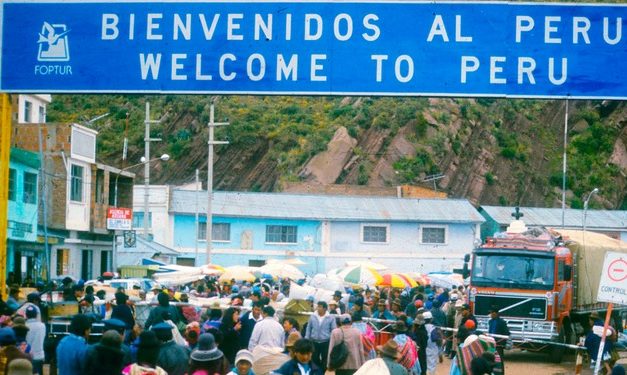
[{"x": 544, "y": 283}]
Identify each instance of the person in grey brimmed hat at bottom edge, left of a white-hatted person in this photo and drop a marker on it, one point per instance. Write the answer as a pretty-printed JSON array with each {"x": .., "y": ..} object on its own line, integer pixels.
[{"x": 207, "y": 359}]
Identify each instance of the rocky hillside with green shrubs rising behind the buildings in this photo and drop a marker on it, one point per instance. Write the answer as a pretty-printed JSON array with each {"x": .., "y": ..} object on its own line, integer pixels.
[{"x": 490, "y": 151}]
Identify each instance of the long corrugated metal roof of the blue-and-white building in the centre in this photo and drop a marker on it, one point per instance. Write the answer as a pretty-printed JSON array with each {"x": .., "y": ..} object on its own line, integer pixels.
[{"x": 327, "y": 207}]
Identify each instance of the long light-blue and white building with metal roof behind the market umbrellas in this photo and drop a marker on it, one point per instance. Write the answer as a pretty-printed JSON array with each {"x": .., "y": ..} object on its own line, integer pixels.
[{"x": 325, "y": 231}]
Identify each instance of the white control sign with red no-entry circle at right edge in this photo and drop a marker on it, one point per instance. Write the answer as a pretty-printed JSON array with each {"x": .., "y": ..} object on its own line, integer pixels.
[{"x": 613, "y": 285}]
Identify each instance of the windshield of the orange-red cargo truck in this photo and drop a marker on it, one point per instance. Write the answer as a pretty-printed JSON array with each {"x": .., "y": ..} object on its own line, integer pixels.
[{"x": 513, "y": 271}]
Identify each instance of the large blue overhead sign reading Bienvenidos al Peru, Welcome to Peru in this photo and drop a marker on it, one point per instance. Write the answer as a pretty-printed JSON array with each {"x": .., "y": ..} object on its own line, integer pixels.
[{"x": 498, "y": 49}]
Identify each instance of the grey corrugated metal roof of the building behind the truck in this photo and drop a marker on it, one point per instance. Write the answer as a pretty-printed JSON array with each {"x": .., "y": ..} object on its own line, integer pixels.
[{"x": 552, "y": 217}]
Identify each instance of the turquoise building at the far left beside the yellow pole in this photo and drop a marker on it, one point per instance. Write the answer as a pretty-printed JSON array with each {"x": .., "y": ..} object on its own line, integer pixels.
[{"x": 25, "y": 256}]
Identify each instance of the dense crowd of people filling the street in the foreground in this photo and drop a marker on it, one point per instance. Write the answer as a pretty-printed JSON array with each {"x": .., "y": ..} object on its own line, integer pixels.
[{"x": 409, "y": 331}]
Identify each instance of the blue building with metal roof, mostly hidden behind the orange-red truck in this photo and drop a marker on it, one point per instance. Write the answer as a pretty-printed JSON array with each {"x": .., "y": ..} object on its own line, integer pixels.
[{"x": 612, "y": 223}]
